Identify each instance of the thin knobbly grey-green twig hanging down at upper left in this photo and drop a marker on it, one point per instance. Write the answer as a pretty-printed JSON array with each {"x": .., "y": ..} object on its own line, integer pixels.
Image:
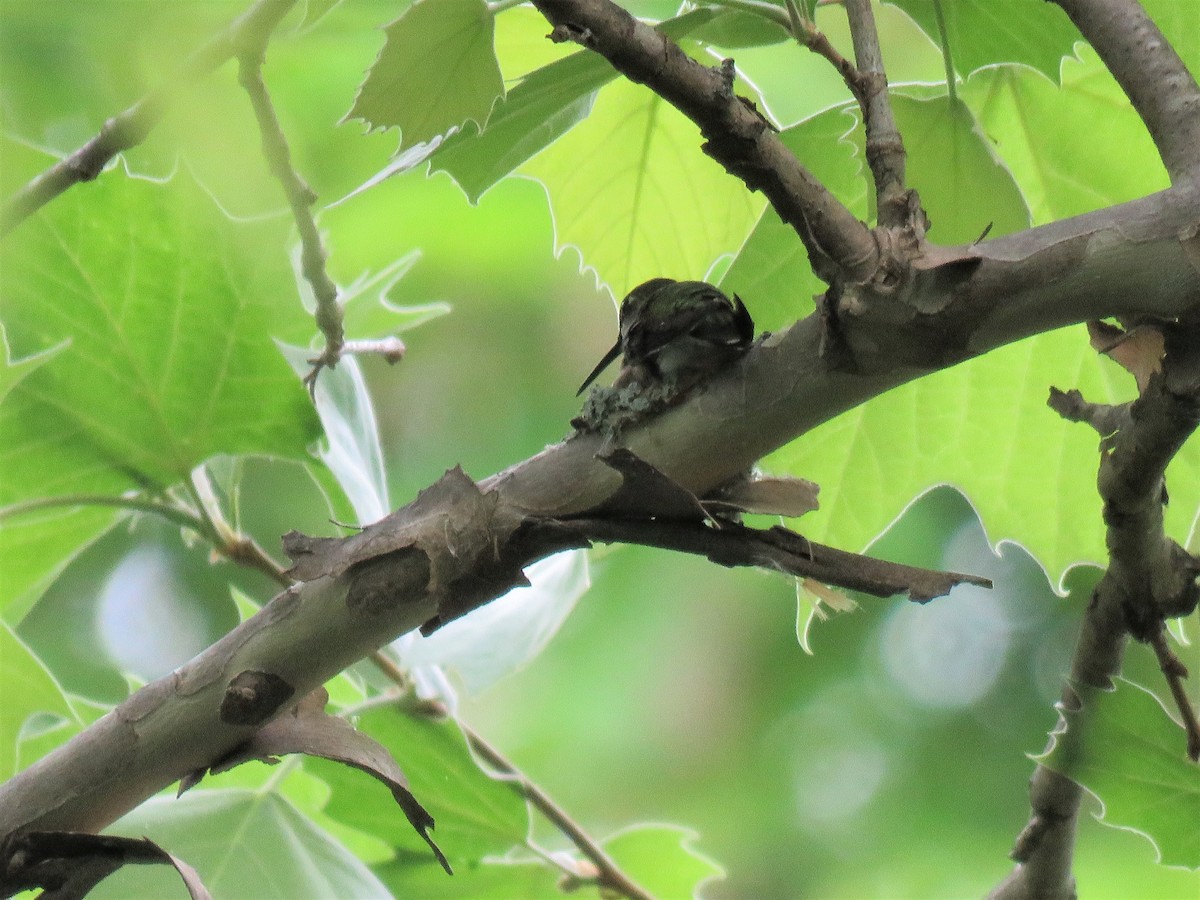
[{"x": 301, "y": 199}]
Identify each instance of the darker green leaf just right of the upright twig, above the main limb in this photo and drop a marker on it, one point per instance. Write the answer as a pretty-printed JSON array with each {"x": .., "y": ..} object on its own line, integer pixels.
[{"x": 963, "y": 188}]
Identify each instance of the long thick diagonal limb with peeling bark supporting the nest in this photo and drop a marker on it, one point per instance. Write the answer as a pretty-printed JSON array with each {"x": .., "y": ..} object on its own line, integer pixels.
[{"x": 1132, "y": 260}]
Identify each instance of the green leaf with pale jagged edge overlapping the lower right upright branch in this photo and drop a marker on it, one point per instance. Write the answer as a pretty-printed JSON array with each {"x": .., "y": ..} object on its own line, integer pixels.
[{"x": 1126, "y": 749}]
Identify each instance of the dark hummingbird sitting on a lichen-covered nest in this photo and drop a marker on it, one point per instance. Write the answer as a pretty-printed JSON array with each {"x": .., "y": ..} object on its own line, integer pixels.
[{"x": 674, "y": 333}]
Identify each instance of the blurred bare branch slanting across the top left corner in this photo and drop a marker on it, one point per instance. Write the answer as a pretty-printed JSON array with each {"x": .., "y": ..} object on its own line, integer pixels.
[{"x": 133, "y": 127}]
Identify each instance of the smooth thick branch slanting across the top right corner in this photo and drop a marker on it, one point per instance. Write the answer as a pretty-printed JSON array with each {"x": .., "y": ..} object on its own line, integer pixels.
[{"x": 1151, "y": 74}]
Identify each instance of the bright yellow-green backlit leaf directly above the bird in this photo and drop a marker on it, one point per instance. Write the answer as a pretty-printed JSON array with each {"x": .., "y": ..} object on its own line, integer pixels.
[{"x": 631, "y": 190}]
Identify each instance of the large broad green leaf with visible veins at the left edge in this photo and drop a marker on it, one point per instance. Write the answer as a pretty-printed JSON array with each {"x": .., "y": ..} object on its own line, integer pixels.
[{"x": 170, "y": 309}]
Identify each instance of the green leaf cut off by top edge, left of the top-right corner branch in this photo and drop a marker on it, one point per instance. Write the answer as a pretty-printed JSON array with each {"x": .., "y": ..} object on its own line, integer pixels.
[{"x": 983, "y": 33}]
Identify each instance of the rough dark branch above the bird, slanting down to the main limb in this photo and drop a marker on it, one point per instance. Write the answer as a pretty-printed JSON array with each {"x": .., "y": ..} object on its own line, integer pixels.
[{"x": 739, "y": 136}]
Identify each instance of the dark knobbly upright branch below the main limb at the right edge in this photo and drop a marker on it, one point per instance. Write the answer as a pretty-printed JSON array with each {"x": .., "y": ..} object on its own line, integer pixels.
[{"x": 1149, "y": 578}]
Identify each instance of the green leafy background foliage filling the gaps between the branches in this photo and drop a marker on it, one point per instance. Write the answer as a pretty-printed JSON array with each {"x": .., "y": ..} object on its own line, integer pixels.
[{"x": 145, "y": 317}]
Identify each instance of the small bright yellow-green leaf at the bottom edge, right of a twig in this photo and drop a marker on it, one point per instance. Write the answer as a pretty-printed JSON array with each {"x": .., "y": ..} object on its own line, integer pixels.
[{"x": 662, "y": 860}]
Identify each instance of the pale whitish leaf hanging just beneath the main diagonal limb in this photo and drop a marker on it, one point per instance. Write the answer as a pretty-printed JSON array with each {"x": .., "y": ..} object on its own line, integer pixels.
[{"x": 506, "y": 635}]
